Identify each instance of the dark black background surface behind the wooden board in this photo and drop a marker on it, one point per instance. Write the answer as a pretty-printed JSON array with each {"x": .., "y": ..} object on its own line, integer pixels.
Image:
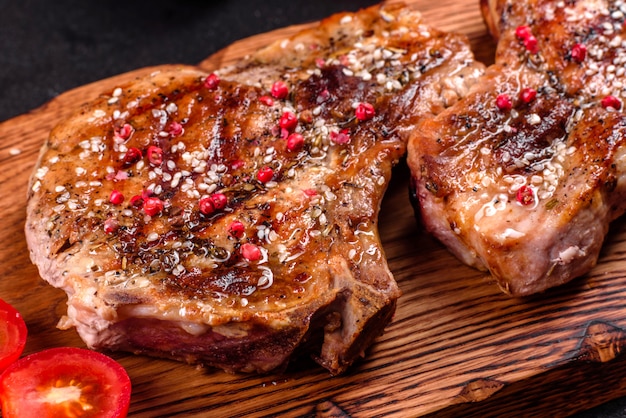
[{"x": 48, "y": 47}]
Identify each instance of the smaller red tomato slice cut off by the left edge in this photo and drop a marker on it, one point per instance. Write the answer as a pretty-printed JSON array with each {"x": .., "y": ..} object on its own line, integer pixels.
[{"x": 12, "y": 334}]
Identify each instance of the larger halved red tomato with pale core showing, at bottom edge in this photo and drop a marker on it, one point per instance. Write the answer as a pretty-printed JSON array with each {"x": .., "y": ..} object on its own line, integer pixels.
[{"x": 65, "y": 382}]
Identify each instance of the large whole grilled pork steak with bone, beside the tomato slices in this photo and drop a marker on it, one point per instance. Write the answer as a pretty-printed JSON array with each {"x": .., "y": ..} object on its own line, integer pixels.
[{"x": 230, "y": 218}]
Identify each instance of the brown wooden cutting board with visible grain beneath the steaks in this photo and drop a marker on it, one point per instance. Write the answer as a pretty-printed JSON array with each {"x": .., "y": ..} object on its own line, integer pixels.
[{"x": 457, "y": 346}]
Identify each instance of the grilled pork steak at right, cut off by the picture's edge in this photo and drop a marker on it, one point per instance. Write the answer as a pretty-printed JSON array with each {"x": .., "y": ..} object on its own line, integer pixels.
[{"x": 523, "y": 176}]
